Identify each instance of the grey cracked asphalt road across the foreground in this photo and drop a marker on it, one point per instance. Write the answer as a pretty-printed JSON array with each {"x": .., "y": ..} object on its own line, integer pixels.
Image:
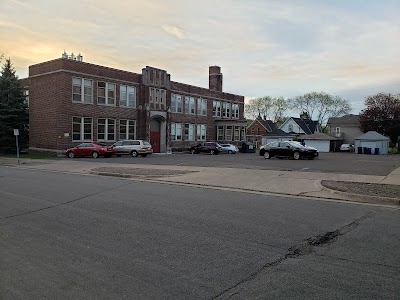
[{"x": 67, "y": 236}]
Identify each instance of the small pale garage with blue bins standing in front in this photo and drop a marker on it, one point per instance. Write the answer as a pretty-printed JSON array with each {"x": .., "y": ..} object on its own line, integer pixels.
[{"x": 371, "y": 142}]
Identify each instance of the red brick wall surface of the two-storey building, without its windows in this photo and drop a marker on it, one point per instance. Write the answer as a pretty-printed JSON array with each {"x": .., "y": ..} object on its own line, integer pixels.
[{"x": 52, "y": 109}]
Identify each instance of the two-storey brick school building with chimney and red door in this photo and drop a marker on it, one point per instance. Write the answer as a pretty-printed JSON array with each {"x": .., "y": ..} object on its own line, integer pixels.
[{"x": 73, "y": 101}]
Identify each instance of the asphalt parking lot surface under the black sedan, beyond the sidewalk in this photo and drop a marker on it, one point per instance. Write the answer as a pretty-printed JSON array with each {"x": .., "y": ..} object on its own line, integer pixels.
[{"x": 343, "y": 163}]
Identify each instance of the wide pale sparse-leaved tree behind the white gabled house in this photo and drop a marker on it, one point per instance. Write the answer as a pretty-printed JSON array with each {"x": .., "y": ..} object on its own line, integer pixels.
[{"x": 320, "y": 106}]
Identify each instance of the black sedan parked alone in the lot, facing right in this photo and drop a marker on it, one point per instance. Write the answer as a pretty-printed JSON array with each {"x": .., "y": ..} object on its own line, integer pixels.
[{"x": 287, "y": 149}]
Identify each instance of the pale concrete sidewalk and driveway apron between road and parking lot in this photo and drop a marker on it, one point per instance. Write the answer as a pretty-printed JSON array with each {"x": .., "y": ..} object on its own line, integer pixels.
[{"x": 305, "y": 184}]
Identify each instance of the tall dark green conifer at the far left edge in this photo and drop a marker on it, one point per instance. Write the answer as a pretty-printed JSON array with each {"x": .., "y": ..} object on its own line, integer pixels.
[{"x": 13, "y": 110}]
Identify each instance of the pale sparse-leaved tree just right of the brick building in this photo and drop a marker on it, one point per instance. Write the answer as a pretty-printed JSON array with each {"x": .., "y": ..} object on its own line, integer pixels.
[{"x": 267, "y": 107}]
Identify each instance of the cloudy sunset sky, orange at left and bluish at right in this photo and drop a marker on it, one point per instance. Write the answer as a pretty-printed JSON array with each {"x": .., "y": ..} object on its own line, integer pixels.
[{"x": 348, "y": 48}]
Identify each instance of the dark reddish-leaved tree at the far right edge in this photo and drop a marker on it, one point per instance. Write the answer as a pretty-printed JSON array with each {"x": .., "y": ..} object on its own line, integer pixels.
[{"x": 382, "y": 115}]
